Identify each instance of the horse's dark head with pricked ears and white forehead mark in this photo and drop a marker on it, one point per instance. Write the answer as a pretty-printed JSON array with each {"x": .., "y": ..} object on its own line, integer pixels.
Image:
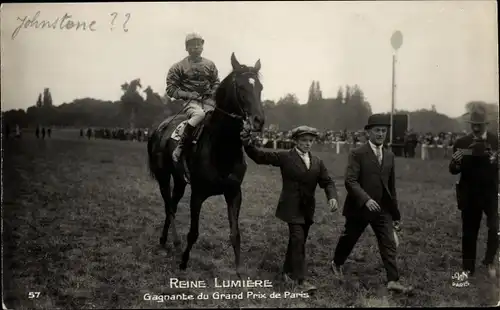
[{"x": 248, "y": 93}]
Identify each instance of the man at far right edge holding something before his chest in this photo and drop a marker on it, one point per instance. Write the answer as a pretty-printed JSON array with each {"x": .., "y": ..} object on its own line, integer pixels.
[{"x": 475, "y": 157}]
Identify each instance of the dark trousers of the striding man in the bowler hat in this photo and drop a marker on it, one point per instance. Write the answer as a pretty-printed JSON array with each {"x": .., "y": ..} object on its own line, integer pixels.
[{"x": 381, "y": 224}]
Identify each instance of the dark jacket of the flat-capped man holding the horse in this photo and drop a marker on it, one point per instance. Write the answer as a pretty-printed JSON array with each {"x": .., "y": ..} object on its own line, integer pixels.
[{"x": 297, "y": 199}]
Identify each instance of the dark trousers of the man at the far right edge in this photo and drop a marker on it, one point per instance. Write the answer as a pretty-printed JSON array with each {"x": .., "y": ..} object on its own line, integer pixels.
[{"x": 471, "y": 222}]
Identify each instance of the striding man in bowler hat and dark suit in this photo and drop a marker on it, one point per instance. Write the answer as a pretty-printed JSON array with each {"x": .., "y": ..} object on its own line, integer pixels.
[{"x": 371, "y": 199}]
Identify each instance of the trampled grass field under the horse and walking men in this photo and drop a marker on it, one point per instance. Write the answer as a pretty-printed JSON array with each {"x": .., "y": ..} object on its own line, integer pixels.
[{"x": 82, "y": 221}]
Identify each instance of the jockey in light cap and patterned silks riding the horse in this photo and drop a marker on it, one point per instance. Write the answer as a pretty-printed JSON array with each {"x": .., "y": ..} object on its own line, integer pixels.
[{"x": 189, "y": 79}]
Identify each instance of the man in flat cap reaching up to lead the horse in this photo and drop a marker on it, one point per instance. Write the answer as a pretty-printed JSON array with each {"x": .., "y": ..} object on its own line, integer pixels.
[{"x": 301, "y": 172}]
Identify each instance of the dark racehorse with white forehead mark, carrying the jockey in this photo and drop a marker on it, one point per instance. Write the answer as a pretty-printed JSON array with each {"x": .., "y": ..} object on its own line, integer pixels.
[{"x": 216, "y": 162}]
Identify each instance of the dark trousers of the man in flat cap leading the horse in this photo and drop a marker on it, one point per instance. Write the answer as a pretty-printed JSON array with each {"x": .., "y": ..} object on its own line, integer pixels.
[{"x": 295, "y": 259}]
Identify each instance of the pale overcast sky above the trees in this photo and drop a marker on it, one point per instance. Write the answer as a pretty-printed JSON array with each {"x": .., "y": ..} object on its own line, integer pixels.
[{"x": 448, "y": 56}]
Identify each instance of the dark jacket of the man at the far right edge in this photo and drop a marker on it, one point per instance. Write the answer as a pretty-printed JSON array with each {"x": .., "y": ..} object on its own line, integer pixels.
[{"x": 478, "y": 176}]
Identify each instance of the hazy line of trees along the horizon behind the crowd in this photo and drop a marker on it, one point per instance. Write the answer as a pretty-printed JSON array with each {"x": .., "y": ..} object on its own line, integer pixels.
[{"x": 349, "y": 110}]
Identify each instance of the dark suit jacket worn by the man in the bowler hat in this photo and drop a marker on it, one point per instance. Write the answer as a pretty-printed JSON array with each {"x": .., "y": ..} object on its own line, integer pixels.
[{"x": 366, "y": 179}]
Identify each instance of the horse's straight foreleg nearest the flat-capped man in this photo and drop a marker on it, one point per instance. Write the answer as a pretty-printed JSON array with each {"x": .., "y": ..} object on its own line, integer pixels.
[{"x": 233, "y": 201}]
